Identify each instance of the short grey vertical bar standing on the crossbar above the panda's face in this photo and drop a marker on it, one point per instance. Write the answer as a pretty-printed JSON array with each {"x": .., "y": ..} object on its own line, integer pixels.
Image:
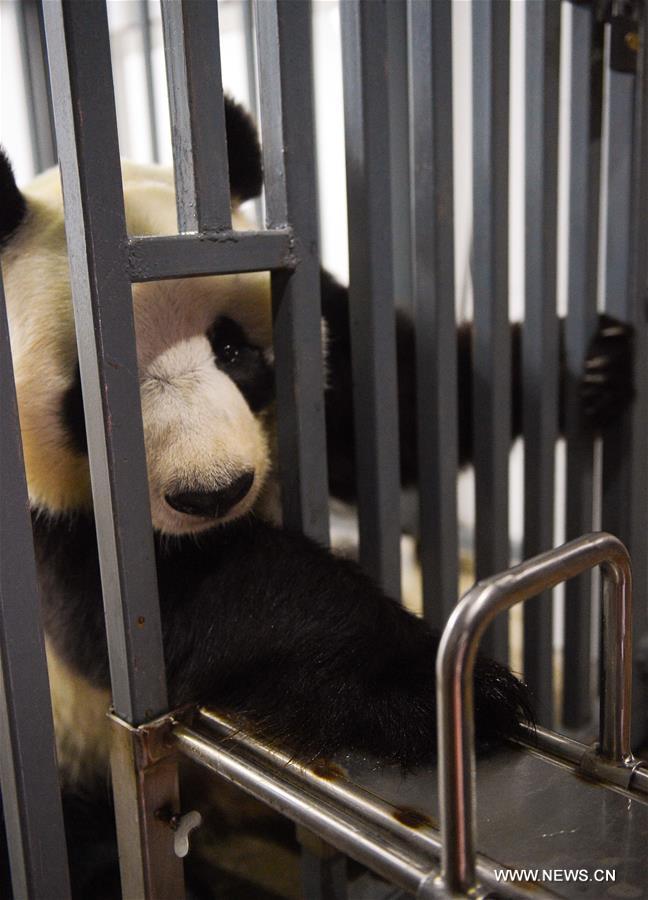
[{"x": 192, "y": 54}]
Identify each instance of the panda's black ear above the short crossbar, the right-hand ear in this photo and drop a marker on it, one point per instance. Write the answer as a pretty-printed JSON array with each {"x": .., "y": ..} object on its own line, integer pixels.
[{"x": 243, "y": 152}]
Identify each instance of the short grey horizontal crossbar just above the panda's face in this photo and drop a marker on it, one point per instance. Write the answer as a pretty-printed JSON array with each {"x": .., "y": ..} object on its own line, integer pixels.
[{"x": 222, "y": 253}]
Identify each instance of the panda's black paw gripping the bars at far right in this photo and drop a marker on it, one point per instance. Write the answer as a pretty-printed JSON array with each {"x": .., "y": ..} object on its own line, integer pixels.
[{"x": 607, "y": 384}]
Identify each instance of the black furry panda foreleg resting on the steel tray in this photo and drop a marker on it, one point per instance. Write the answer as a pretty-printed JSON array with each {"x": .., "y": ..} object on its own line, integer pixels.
[{"x": 309, "y": 651}]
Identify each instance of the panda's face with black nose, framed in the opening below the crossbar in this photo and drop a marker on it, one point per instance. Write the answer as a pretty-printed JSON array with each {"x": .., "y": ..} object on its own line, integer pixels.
[{"x": 205, "y": 362}]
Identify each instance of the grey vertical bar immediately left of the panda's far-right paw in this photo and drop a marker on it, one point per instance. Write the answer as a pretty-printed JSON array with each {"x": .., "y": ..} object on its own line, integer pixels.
[{"x": 582, "y": 264}]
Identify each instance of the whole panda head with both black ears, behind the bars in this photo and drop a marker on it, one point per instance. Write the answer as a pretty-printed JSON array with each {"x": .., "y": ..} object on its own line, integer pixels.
[{"x": 204, "y": 354}]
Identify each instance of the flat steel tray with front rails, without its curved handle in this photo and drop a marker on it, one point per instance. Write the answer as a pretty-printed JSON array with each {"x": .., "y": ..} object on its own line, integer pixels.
[{"x": 534, "y": 812}]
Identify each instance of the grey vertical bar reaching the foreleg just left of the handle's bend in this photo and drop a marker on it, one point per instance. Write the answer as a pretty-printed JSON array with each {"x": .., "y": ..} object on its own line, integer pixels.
[{"x": 430, "y": 36}]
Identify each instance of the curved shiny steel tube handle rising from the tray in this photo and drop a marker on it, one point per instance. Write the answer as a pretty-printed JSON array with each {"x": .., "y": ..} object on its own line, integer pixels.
[{"x": 455, "y": 663}]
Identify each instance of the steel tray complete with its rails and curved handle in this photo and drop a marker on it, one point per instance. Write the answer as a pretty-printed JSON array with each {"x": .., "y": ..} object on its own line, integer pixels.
[{"x": 570, "y": 820}]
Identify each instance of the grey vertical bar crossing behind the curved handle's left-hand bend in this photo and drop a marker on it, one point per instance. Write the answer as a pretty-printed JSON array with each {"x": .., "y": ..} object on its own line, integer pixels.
[{"x": 491, "y": 328}]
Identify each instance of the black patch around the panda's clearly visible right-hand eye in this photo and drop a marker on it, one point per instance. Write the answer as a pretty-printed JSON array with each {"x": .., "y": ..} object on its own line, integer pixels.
[{"x": 242, "y": 361}]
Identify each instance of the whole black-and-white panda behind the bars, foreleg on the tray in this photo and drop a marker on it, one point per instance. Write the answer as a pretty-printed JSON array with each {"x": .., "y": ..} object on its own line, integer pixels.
[{"x": 300, "y": 646}]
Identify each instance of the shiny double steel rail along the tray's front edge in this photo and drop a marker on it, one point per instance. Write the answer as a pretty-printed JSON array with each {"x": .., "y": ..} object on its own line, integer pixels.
[{"x": 352, "y": 819}]
